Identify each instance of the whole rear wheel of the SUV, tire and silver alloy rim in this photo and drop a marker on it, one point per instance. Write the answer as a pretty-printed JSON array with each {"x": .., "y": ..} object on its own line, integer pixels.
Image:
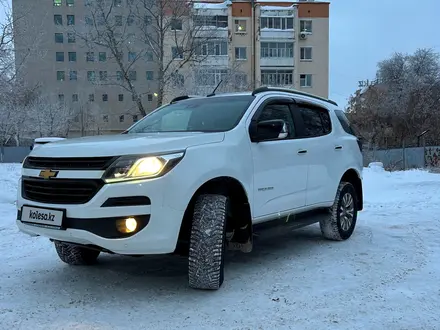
[{"x": 340, "y": 224}]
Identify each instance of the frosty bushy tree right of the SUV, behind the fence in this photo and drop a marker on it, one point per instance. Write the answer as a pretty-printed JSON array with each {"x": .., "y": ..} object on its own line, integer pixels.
[{"x": 408, "y": 102}]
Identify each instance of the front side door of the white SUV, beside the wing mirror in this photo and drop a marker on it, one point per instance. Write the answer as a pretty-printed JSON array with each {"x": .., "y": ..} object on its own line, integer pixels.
[{"x": 280, "y": 166}]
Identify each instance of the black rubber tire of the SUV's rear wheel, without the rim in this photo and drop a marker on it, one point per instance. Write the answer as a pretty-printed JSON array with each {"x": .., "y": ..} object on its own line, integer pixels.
[{"x": 331, "y": 227}]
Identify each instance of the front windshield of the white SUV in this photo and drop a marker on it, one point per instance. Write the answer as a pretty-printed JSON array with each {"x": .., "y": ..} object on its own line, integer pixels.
[{"x": 206, "y": 114}]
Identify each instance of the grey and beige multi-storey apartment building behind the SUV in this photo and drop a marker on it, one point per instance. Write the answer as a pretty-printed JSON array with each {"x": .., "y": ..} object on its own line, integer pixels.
[{"x": 242, "y": 44}]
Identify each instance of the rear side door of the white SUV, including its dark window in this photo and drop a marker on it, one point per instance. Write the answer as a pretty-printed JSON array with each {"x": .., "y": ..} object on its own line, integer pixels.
[{"x": 322, "y": 154}]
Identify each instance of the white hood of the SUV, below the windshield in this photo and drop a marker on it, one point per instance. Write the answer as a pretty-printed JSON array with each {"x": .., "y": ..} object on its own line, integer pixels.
[{"x": 125, "y": 144}]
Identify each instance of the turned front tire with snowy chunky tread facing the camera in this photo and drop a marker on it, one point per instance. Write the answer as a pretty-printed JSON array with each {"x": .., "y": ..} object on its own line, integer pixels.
[{"x": 207, "y": 242}]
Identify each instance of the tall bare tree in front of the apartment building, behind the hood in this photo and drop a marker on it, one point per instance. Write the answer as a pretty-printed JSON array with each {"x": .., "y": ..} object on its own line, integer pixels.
[{"x": 163, "y": 33}]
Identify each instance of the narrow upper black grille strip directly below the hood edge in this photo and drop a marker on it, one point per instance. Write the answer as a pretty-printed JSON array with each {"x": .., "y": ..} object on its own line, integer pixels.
[{"x": 89, "y": 163}]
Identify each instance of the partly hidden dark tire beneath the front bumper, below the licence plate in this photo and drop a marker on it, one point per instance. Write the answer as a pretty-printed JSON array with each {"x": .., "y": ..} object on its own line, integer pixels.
[{"x": 75, "y": 255}]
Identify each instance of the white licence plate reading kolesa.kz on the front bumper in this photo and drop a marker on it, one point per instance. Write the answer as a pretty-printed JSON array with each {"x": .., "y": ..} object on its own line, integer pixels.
[{"x": 42, "y": 217}]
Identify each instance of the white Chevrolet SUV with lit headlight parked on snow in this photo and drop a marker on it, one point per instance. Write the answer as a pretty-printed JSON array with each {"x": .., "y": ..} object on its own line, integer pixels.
[{"x": 197, "y": 176}]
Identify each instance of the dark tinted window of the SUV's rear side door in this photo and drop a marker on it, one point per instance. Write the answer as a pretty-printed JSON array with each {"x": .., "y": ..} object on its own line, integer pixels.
[{"x": 316, "y": 122}]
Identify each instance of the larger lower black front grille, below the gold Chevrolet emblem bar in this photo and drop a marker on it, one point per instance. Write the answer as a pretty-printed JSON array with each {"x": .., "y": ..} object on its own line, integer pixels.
[{"x": 60, "y": 191}]
